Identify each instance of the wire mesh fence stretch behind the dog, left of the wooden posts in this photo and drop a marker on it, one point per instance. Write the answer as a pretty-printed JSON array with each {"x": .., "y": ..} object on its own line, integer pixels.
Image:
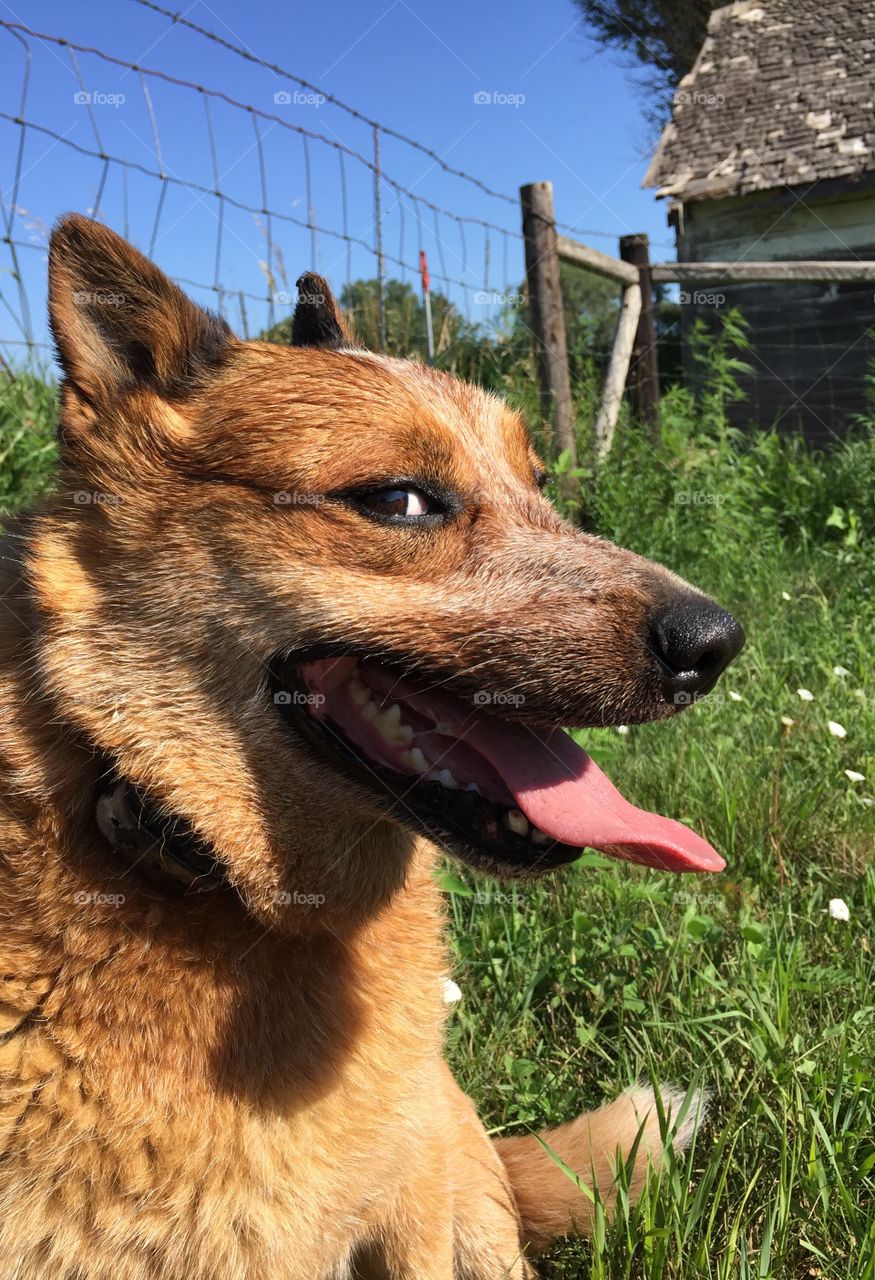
[{"x": 263, "y": 188}]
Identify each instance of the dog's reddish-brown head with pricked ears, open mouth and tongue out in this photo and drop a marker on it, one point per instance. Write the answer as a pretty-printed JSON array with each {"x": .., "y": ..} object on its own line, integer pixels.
[{"x": 314, "y": 601}]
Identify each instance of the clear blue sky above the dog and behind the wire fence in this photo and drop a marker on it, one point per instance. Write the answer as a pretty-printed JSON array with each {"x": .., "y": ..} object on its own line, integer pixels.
[{"x": 558, "y": 109}]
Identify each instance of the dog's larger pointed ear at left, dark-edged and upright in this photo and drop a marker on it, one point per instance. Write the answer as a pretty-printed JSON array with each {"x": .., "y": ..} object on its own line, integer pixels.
[{"x": 120, "y": 324}]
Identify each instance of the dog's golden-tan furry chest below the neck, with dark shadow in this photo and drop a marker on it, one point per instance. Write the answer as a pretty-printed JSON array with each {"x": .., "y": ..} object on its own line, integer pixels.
[{"x": 264, "y": 1158}]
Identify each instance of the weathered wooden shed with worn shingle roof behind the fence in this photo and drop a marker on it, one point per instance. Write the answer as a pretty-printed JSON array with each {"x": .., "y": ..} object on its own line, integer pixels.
[{"x": 771, "y": 156}]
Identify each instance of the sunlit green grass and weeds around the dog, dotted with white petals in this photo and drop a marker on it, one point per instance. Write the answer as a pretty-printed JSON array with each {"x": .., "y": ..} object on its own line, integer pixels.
[{"x": 606, "y": 973}]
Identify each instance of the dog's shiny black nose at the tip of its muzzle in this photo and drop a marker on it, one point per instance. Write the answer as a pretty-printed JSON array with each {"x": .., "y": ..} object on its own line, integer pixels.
[{"x": 694, "y": 641}]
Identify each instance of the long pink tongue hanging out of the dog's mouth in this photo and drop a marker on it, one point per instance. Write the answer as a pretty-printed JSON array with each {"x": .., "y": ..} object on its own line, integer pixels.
[{"x": 566, "y": 794}]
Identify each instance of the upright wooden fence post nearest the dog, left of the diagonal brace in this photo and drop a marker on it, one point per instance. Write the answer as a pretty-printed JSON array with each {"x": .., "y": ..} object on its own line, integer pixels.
[{"x": 547, "y": 316}]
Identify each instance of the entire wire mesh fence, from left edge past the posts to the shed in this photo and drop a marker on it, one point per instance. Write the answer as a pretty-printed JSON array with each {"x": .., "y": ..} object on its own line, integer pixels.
[{"x": 235, "y": 194}]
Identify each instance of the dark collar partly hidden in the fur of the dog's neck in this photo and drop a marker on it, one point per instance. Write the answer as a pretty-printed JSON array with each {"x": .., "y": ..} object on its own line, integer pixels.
[{"x": 164, "y": 848}]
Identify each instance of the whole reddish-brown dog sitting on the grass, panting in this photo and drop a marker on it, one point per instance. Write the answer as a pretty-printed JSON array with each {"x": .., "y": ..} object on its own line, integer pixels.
[{"x": 246, "y": 656}]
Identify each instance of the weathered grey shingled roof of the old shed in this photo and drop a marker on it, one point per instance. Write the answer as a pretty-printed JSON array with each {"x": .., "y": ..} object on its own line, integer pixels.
[{"x": 782, "y": 93}]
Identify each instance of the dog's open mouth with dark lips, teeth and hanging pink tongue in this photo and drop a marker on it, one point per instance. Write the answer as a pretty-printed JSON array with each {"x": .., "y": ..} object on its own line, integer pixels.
[{"x": 505, "y": 796}]
